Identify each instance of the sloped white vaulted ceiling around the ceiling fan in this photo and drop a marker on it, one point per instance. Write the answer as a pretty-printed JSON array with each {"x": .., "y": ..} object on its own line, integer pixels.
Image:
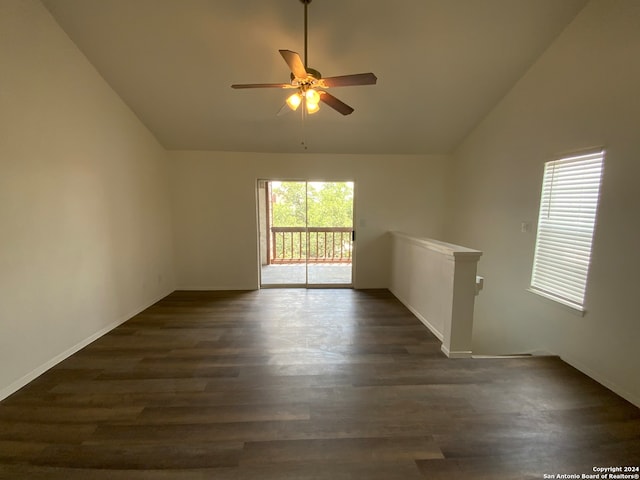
[{"x": 441, "y": 66}]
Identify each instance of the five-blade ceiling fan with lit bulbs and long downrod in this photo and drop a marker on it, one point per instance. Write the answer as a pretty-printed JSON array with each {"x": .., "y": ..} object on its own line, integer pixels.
[{"x": 309, "y": 84}]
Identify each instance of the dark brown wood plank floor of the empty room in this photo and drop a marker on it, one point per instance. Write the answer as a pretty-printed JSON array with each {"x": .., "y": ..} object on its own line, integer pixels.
[{"x": 304, "y": 384}]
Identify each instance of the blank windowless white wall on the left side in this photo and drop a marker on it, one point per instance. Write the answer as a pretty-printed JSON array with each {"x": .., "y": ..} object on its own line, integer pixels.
[{"x": 85, "y": 221}]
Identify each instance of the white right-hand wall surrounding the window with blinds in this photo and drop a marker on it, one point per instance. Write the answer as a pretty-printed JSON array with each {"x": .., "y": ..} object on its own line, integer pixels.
[{"x": 583, "y": 92}]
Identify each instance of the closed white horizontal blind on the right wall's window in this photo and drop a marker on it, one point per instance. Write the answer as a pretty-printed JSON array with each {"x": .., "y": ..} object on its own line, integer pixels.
[{"x": 568, "y": 206}]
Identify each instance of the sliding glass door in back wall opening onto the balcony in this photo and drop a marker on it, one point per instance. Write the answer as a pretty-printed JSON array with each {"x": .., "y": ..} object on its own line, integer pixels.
[{"x": 306, "y": 233}]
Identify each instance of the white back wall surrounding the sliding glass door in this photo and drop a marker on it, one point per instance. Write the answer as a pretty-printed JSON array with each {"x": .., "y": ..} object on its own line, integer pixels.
[{"x": 215, "y": 209}]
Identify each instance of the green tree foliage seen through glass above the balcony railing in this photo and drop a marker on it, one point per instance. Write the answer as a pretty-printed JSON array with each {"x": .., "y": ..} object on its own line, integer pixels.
[{"x": 327, "y": 204}]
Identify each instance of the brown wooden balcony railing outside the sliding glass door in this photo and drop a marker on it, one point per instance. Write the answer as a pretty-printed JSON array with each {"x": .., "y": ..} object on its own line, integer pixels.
[{"x": 312, "y": 244}]
